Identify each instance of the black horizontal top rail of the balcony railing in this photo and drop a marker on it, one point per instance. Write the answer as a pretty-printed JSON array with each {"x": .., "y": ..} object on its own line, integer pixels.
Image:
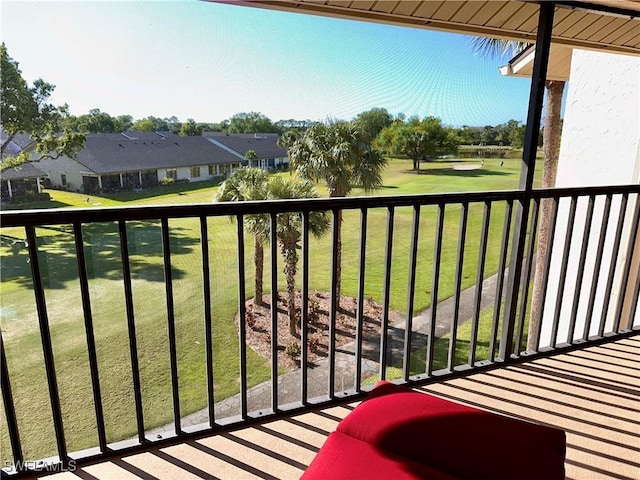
[{"x": 107, "y": 214}]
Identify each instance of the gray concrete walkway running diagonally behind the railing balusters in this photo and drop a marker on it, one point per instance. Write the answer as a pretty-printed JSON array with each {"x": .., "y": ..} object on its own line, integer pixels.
[{"x": 289, "y": 384}]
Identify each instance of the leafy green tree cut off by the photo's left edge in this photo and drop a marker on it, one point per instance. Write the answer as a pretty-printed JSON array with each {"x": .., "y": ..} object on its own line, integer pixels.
[{"x": 25, "y": 109}]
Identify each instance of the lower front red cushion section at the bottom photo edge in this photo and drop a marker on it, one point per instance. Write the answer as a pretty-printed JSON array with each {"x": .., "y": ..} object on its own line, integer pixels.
[{"x": 343, "y": 457}]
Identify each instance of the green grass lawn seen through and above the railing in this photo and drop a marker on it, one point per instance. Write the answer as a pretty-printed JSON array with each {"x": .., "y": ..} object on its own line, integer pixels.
[{"x": 19, "y": 319}]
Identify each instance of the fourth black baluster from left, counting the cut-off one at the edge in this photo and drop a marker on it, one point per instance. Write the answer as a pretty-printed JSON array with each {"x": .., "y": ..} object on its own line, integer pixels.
[{"x": 131, "y": 327}]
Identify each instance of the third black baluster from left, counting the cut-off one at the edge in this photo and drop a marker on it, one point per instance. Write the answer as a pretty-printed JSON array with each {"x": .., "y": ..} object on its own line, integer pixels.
[{"x": 89, "y": 334}]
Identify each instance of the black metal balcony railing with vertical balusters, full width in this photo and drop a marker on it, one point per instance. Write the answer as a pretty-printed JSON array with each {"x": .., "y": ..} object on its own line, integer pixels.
[{"x": 452, "y": 253}]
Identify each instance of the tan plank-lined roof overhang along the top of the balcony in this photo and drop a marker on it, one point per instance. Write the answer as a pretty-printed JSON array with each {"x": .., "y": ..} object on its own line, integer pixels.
[{"x": 611, "y": 25}]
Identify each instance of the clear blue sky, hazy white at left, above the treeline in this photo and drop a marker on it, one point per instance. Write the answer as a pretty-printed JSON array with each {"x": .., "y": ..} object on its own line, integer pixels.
[{"x": 209, "y": 61}]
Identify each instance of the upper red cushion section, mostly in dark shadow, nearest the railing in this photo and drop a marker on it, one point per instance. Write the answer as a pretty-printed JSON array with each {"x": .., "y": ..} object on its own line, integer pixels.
[{"x": 462, "y": 441}]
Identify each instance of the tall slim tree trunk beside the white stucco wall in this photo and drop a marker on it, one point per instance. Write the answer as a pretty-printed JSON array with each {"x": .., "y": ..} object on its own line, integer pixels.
[{"x": 551, "y": 148}]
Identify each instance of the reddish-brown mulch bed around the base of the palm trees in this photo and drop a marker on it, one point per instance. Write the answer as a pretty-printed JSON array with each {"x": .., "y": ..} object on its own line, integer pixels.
[{"x": 258, "y": 320}]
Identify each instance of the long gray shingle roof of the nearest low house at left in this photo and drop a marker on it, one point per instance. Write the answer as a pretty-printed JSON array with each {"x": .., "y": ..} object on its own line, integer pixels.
[{"x": 114, "y": 153}]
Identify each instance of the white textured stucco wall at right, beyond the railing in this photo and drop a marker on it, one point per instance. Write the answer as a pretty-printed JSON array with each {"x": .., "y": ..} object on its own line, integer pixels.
[{"x": 600, "y": 146}]
